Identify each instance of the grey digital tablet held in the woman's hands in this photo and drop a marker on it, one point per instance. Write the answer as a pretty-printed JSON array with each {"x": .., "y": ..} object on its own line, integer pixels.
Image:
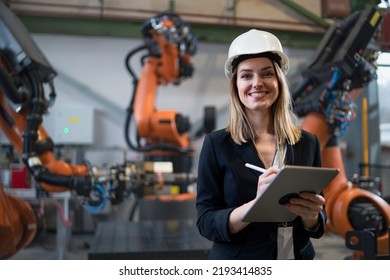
[{"x": 289, "y": 182}]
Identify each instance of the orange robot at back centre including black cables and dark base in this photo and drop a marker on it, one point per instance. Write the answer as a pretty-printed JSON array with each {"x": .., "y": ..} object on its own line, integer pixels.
[{"x": 166, "y": 58}]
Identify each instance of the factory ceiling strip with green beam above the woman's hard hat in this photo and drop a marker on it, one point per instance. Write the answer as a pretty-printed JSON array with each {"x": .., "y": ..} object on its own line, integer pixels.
[{"x": 300, "y": 23}]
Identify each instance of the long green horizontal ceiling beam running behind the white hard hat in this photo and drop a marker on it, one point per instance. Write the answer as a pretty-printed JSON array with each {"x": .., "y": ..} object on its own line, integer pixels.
[{"x": 131, "y": 29}]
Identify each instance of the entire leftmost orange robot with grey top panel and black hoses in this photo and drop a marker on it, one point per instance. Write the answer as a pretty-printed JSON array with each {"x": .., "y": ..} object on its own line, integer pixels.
[{"x": 26, "y": 92}]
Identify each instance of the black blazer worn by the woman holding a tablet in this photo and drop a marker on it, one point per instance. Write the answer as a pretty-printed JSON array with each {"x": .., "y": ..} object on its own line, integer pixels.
[{"x": 224, "y": 183}]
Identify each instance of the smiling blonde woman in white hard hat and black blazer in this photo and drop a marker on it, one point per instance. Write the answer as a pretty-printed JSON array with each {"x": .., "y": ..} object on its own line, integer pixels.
[{"x": 262, "y": 130}]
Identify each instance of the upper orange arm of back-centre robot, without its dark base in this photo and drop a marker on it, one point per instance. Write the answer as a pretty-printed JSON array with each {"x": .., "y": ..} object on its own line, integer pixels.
[{"x": 170, "y": 45}]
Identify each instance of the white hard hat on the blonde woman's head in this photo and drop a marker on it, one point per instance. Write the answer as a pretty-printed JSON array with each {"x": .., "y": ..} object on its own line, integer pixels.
[{"x": 255, "y": 42}]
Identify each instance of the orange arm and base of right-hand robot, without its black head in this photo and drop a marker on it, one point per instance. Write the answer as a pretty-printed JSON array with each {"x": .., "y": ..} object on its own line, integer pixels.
[{"x": 341, "y": 194}]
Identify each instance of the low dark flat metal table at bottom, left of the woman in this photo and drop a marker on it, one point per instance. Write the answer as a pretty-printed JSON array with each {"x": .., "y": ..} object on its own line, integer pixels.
[{"x": 149, "y": 240}]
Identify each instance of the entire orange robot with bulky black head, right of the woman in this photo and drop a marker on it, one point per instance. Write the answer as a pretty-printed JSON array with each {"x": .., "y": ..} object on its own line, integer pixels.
[{"x": 344, "y": 63}]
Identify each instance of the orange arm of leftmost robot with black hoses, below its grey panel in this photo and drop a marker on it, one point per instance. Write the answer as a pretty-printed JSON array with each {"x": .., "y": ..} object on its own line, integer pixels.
[{"x": 22, "y": 126}]
